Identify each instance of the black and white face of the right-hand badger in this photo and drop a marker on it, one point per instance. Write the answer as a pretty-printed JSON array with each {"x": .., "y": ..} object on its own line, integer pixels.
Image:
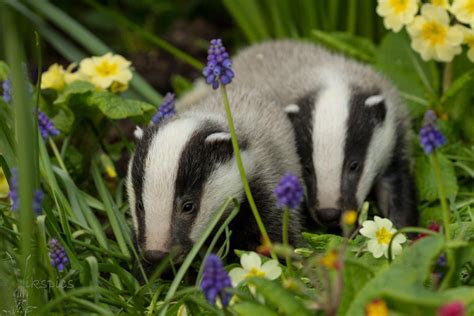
[{"x": 351, "y": 134}]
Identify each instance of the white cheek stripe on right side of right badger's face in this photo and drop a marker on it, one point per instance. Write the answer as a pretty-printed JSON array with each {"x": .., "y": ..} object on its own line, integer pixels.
[{"x": 378, "y": 154}]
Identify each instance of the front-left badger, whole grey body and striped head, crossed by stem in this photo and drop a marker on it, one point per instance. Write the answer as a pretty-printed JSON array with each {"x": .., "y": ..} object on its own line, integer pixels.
[{"x": 184, "y": 169}]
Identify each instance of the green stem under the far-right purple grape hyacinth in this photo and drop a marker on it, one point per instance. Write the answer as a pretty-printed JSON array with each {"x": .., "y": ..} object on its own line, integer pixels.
[{"x": 446, "y": 219}]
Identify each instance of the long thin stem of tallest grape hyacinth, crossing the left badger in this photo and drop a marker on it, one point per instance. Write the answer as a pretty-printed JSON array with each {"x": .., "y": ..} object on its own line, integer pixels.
[{"x": 240, "y": 165}]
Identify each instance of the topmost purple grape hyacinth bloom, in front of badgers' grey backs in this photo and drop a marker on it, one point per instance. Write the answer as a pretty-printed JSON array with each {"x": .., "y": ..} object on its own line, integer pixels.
[{"x": 218, "y": 69}]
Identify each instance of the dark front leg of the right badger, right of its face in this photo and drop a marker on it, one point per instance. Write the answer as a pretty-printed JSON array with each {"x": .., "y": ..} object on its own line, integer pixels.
[{"x": 396, "y": 195}]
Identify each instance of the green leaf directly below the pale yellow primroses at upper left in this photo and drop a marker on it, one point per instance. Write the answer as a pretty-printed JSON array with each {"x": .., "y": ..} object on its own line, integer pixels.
[{"x": 116, "y": 107}]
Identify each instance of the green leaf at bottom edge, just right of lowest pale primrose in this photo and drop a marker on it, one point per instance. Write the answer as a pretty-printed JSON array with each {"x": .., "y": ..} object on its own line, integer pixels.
[{"x": 286, "y": 302}]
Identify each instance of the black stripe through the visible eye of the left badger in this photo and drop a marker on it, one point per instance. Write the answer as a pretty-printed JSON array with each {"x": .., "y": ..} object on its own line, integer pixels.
[{"x": 198, "y": 160}]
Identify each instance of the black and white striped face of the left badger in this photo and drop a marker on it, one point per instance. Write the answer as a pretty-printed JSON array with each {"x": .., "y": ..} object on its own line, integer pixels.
[{"x": 182, "y": 172}]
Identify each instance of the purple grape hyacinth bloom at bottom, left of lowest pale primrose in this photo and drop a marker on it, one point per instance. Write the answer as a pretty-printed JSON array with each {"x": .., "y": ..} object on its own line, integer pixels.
[{"x": 215, "y": 280}]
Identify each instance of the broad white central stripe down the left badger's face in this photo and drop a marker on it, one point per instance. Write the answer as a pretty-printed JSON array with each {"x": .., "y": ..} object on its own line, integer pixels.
[{"x": 161, "y": 170}]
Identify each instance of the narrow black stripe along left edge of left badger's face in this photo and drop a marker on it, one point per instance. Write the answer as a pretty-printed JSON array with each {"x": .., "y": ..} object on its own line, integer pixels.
[{"x": 138, "y": 178}]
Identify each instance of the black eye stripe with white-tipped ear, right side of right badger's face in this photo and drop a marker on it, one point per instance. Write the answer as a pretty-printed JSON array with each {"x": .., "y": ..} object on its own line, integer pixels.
[{"x": 367, "y": 112}]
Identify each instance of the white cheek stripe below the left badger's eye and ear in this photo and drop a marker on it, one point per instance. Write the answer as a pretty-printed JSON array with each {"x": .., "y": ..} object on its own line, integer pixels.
[{"x": 224, "y": 182}]
